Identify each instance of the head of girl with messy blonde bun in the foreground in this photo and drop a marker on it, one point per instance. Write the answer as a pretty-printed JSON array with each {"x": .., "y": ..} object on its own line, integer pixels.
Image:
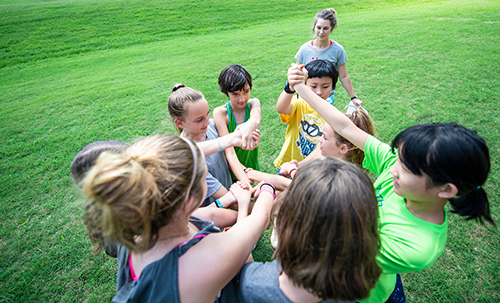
[{"x": 149, "y": 185}]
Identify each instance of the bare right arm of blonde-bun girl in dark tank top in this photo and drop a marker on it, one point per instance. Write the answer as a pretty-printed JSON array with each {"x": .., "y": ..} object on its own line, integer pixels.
[{"x": 214, "y": 261}]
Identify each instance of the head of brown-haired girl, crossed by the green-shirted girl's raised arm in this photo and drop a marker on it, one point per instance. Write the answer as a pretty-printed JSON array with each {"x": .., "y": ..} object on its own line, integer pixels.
[{"x": 334, "y": 145}]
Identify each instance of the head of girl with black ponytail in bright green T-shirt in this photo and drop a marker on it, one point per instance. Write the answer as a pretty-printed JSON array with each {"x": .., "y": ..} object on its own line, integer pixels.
[{"x": 448, "y": 156}]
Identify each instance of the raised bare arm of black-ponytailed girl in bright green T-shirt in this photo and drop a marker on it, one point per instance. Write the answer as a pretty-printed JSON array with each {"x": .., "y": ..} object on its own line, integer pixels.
[{"x": 332, "y": 115}]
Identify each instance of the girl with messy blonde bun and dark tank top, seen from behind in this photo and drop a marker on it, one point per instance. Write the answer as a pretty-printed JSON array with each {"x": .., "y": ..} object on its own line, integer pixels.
[{"x": 143, "y": 197}]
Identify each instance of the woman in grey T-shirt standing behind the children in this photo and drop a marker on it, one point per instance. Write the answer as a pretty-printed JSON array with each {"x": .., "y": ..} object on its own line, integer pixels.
[{"x": 322, "y": 47}]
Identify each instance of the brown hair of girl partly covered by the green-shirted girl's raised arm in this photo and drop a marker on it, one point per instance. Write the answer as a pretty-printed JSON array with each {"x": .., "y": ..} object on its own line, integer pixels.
[{"x": 362, "y": 120}]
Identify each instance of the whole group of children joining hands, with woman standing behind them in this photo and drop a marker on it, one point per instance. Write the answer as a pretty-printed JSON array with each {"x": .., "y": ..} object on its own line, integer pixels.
[{"x": 160, "y": 203}]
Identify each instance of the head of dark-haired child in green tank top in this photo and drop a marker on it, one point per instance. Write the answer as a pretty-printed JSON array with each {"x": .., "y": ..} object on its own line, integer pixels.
[{"x": 236, "y": 83}]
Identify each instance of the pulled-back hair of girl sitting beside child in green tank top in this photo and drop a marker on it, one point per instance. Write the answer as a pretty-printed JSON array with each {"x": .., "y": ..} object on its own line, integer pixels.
[{"x": 178, "y": 98}]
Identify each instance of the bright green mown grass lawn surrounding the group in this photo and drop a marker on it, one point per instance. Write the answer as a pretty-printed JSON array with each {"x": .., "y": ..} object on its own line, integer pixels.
[{"x": 72, "y": 72}]
